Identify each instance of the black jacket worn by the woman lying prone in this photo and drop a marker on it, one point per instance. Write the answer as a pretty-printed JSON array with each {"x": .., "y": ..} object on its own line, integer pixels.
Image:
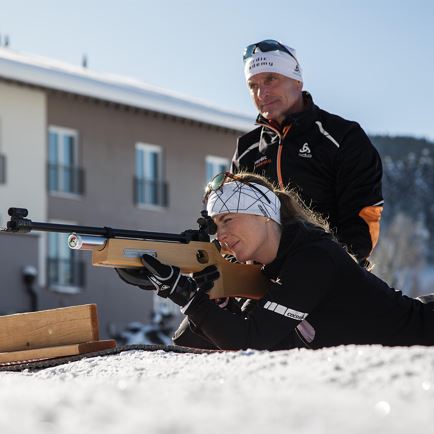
[{"x": 320, "y": 297}]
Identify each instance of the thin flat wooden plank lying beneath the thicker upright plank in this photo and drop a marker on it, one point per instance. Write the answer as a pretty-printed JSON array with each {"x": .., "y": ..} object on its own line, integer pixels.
[{"x": 53, "y": 352}]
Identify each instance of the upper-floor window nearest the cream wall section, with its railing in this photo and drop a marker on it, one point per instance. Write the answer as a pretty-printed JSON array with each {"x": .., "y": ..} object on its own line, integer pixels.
[{"x": 64, "y": 175}]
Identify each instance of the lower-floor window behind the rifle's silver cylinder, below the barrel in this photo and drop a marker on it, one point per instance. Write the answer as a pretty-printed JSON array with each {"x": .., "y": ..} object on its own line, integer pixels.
[{"x": 65, "y": 273}]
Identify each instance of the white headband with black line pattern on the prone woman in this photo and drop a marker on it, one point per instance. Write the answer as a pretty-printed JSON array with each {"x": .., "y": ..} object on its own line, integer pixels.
[{"x": 238, "y": 197}]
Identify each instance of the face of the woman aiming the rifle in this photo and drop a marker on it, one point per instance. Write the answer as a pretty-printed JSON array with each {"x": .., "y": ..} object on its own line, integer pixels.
[{"x": 243, "y": 235}]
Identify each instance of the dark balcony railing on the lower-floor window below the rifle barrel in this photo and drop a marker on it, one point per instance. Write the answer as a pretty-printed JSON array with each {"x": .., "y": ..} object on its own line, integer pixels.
[{"x": 65, "y": 273}]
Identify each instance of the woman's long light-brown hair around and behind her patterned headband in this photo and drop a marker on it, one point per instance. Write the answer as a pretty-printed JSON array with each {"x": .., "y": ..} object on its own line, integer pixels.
[{"x": 292, "y": 207}]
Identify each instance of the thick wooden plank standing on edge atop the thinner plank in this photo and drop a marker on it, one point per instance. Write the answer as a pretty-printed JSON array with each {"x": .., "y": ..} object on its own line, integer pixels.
[{"x": 49, "y": 328}]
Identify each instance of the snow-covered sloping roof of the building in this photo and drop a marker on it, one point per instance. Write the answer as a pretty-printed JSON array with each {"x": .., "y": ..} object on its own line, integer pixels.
[{"x": 53, "y": 74}]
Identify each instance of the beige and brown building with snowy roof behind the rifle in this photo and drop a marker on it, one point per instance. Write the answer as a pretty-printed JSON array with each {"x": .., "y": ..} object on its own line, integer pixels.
[{"x": 94, "y": 149}]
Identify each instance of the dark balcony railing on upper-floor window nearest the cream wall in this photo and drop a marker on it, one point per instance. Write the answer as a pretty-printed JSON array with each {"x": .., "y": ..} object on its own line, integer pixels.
[{"x": 65, "y": 179}]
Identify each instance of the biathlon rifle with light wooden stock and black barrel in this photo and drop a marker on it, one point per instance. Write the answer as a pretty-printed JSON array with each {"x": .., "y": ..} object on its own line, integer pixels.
[{"x": 190, "y": 250}]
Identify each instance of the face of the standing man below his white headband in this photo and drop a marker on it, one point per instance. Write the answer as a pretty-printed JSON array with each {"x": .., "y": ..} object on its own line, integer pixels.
[{"x": 275, "y": 95}]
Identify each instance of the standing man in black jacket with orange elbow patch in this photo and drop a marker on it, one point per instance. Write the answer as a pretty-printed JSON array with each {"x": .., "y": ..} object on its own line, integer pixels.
[{"x": 330, "y": 161}]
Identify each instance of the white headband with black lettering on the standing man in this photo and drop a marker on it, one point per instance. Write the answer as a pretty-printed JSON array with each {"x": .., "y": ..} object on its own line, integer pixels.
[{"x": 273, "y": 61}]
